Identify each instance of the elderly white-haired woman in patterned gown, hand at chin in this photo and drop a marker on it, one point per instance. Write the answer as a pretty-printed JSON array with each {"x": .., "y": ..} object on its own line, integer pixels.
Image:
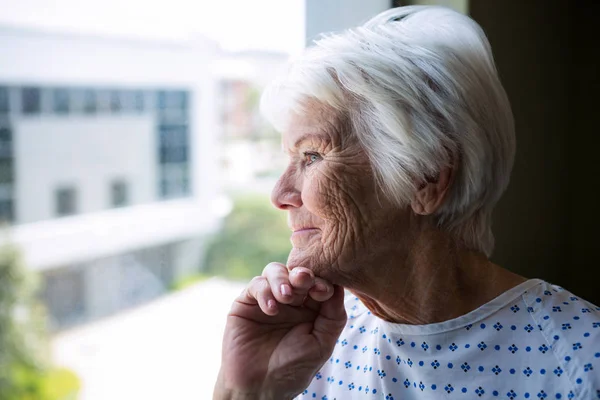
[{"x": 400, "y": 141}]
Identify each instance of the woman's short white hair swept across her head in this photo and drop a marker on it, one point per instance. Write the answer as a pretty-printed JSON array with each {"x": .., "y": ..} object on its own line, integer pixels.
[{"x": 419, "y": 87}]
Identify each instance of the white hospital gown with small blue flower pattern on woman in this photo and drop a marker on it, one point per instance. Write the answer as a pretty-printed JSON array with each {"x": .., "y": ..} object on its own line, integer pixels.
[{"x": 535, "y": 341}]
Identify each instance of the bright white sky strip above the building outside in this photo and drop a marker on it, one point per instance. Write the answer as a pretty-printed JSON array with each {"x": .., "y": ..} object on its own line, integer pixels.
[{"x": 237, "y": 25}]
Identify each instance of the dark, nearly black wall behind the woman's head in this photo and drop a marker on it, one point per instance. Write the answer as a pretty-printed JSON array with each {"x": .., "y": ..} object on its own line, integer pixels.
[{"x": 545, "y": 223}]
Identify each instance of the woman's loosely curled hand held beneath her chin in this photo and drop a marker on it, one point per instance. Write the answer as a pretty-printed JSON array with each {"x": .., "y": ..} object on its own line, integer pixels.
[{"x": 279, "y": 332}]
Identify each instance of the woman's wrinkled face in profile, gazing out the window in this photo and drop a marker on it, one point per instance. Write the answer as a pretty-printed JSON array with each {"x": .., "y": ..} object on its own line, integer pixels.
[{"x": 338, "y": 216}]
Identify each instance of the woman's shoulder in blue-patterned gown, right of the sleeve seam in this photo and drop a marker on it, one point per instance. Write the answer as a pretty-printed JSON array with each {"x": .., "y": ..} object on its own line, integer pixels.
[{"x": 571, "y": 327}]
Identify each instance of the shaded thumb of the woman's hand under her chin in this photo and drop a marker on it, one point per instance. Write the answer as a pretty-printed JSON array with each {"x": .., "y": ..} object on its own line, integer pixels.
[{"x": 331, "y": 321}]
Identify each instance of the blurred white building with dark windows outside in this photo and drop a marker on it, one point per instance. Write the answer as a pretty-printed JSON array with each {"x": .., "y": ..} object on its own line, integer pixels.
[{"x": 107, "y": 164}]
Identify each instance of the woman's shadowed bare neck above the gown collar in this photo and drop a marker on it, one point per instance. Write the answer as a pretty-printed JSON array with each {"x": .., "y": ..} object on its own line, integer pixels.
[{"x": 436, "y": 282}]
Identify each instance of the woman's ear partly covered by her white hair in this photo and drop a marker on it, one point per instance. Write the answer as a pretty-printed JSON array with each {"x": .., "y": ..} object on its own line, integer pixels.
[{"x": 432, "y": 192}]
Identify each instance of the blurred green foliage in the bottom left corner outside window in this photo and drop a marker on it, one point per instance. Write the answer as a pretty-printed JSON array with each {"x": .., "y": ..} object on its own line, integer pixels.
[{"x": 24, "y": 368}]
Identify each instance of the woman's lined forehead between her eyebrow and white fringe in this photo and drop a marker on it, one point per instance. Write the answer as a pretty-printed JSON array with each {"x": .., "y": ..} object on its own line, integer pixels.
[{"x": 313, "y": 122}]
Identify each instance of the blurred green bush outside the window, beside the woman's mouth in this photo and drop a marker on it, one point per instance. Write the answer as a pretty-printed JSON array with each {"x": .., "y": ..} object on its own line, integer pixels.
[{"x": 253, "y": 235}]
